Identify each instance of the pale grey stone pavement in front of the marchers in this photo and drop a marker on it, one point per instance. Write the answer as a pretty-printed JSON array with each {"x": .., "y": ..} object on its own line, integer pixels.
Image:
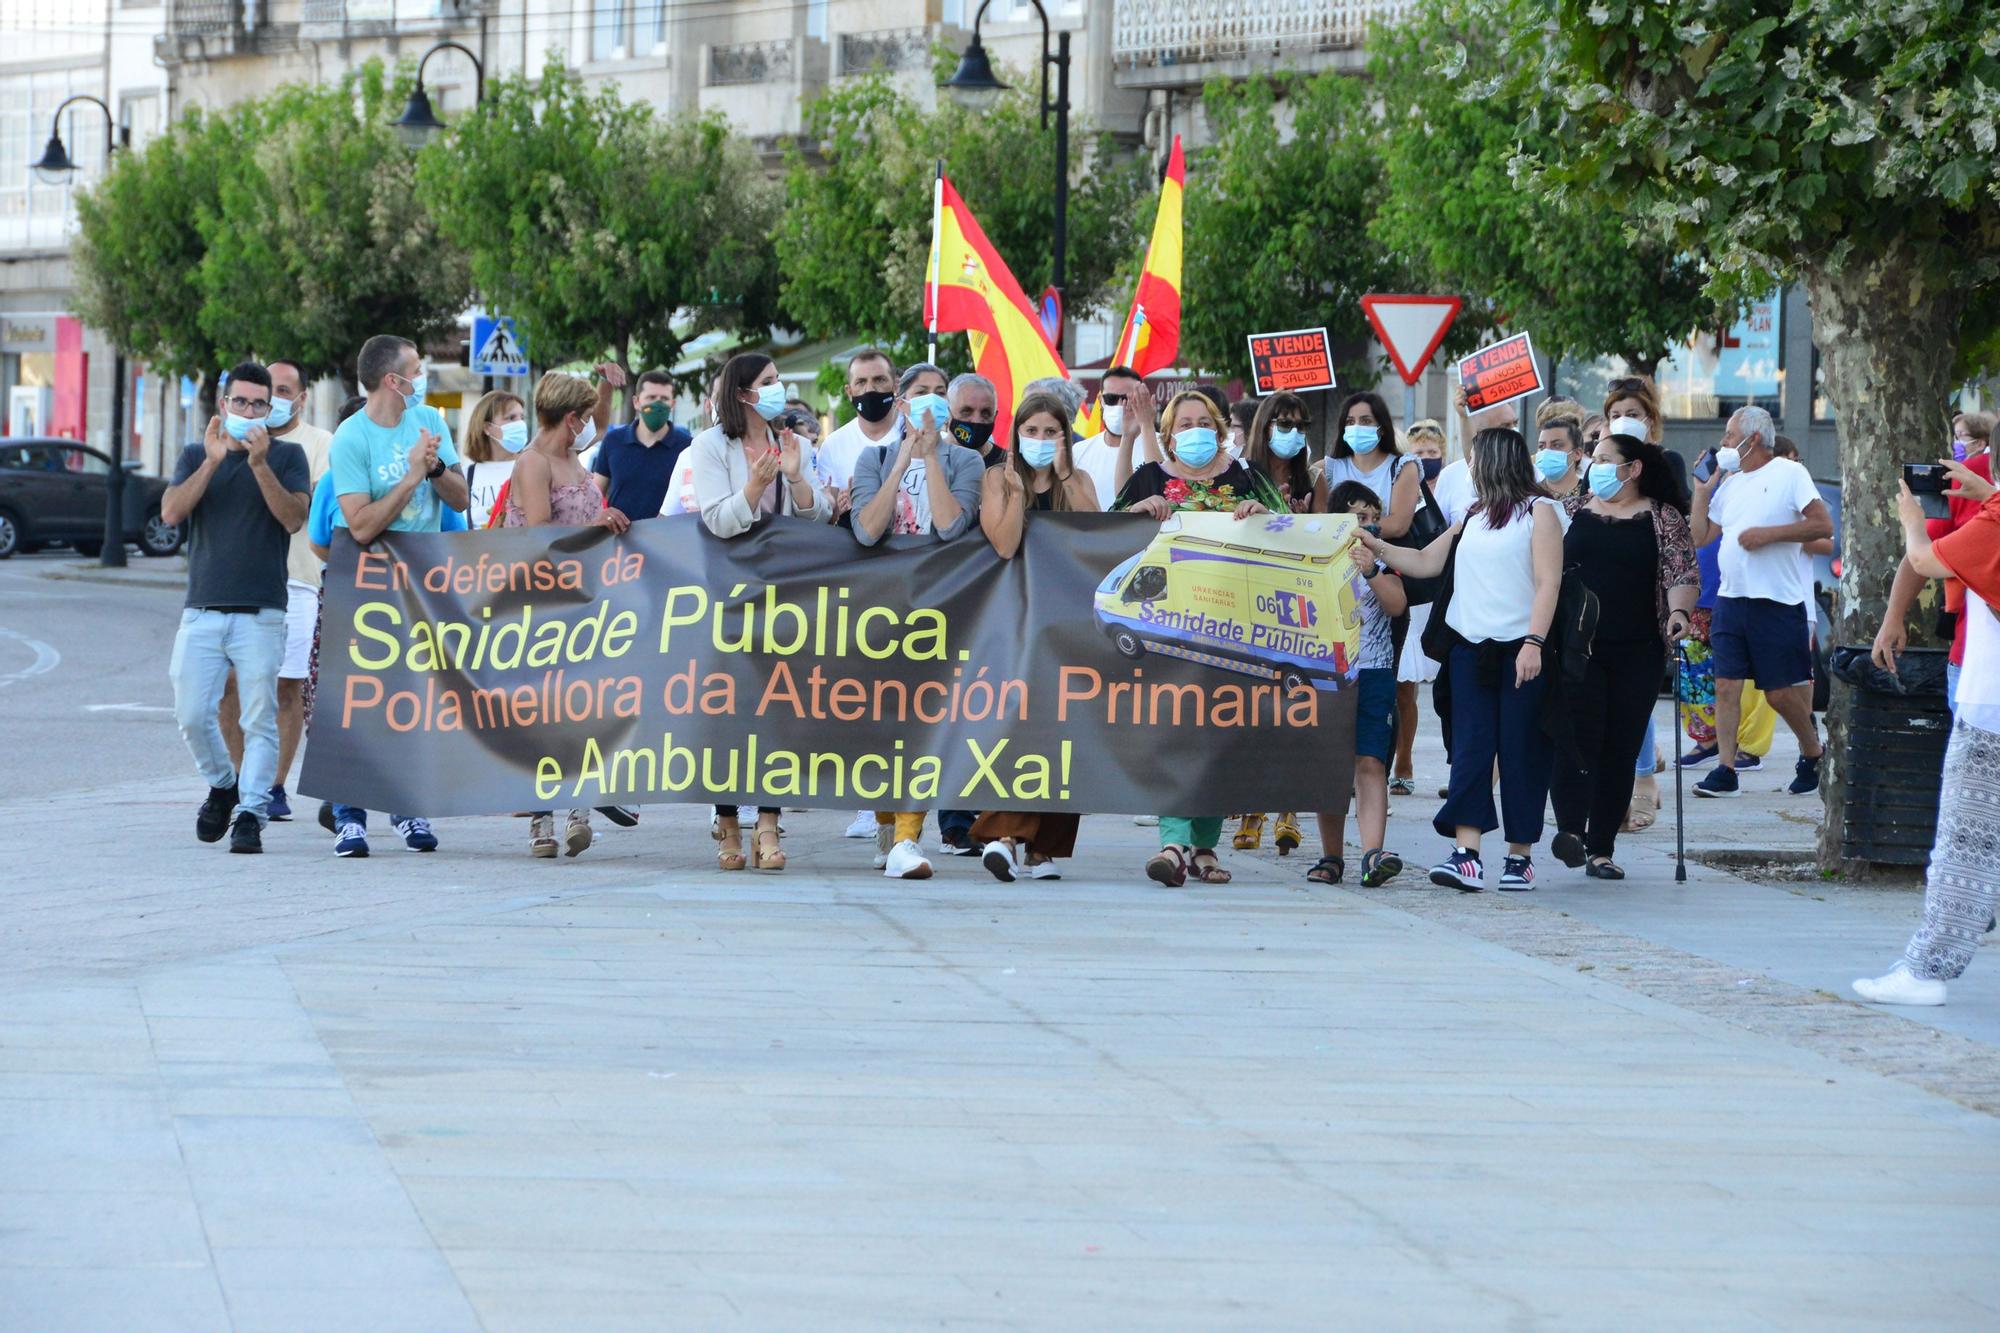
[{"x": 631, "y": 1092}]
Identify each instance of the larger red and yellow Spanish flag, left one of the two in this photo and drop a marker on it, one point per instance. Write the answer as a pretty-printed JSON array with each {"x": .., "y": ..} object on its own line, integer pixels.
[{"x": 971, "y": 291}]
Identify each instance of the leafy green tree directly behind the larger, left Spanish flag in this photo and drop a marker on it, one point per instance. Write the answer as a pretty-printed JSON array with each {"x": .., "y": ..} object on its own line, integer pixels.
[{"x": 857, "y": 229}]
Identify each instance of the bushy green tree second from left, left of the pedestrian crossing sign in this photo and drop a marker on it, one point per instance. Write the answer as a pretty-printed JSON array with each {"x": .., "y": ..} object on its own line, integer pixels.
[{"x": 319, "y": 239}]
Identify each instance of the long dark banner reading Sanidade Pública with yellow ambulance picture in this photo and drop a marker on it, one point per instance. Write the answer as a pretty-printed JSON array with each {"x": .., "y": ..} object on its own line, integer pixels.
[{"x": 1115, "y": 665}]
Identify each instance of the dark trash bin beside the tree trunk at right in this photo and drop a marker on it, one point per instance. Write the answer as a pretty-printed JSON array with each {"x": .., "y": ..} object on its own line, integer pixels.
[{"x": 1897, "y": 736}]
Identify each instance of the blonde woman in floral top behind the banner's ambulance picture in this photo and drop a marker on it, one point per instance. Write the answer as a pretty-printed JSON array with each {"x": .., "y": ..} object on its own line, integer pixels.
[{"x": 1195, "y": 475}]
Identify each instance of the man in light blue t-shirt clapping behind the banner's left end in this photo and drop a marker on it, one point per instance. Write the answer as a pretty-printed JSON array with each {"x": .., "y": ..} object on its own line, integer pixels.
[{"x": 395, "y": 471}]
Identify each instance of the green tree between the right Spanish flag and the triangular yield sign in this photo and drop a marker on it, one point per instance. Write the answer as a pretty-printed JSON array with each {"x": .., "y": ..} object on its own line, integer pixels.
[{"x": 1279, "y": 227}]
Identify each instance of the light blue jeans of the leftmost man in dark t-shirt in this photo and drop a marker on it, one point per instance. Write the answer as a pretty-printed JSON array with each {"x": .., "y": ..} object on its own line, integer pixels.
[{"x": 205, "y": 651}]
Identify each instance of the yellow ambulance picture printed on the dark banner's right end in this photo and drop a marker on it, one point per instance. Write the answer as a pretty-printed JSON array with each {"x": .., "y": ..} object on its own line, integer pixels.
[{"x": 1267, "y": 597}]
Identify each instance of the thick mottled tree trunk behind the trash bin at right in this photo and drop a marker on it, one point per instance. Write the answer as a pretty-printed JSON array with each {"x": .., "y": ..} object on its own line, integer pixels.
[{"x": 1887, "y": 337}]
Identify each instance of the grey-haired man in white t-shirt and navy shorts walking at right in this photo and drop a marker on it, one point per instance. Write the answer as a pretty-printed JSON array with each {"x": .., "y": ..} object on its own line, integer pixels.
[{"x": 1767, "y": 511}]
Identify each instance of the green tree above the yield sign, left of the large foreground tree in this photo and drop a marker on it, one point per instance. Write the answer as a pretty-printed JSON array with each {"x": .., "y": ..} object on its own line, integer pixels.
[{"x": 1573, "y": 273}]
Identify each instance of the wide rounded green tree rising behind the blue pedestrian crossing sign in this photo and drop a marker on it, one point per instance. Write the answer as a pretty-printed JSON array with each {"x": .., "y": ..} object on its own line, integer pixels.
[{"x": 601, "y": 227}]
